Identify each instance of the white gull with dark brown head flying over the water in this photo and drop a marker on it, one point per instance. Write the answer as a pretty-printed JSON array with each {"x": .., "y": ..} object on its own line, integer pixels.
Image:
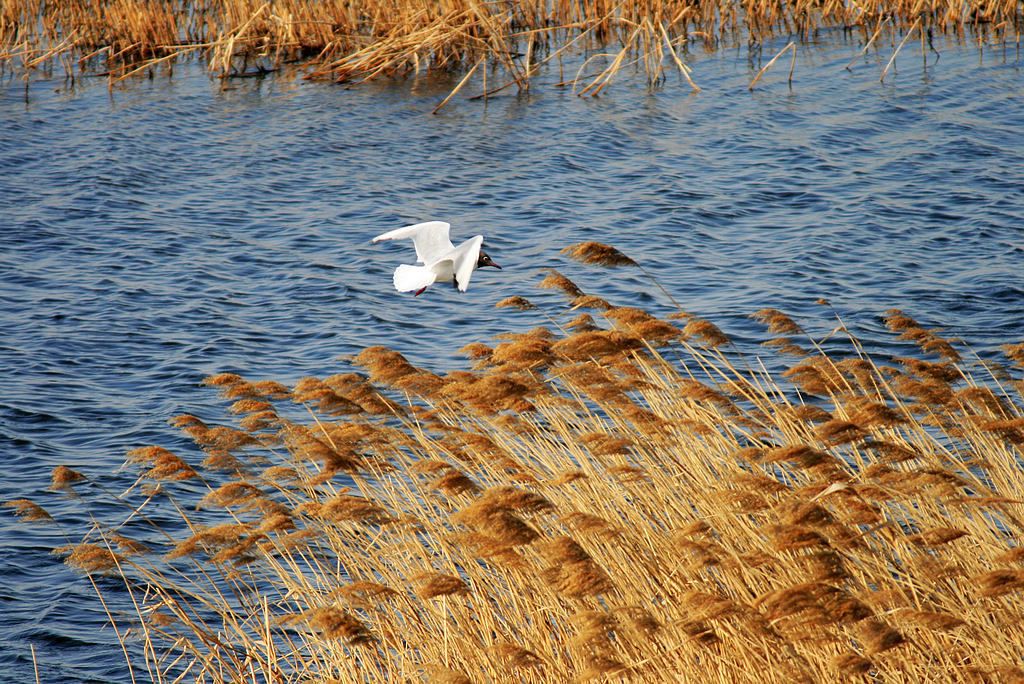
[{"x": 442, "y": 261}]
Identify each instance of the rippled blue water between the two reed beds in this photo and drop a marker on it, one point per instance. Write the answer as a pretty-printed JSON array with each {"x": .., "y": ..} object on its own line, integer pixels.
[{"x": 168, "y": 230}]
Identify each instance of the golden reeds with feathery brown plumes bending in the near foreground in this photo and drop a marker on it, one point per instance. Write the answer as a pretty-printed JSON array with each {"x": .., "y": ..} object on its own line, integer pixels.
[{"x": 614, "y": 497}]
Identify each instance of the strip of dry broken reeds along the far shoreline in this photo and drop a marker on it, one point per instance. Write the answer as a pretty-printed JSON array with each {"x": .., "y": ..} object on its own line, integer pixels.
[{"x": 353, "y": 41}]
